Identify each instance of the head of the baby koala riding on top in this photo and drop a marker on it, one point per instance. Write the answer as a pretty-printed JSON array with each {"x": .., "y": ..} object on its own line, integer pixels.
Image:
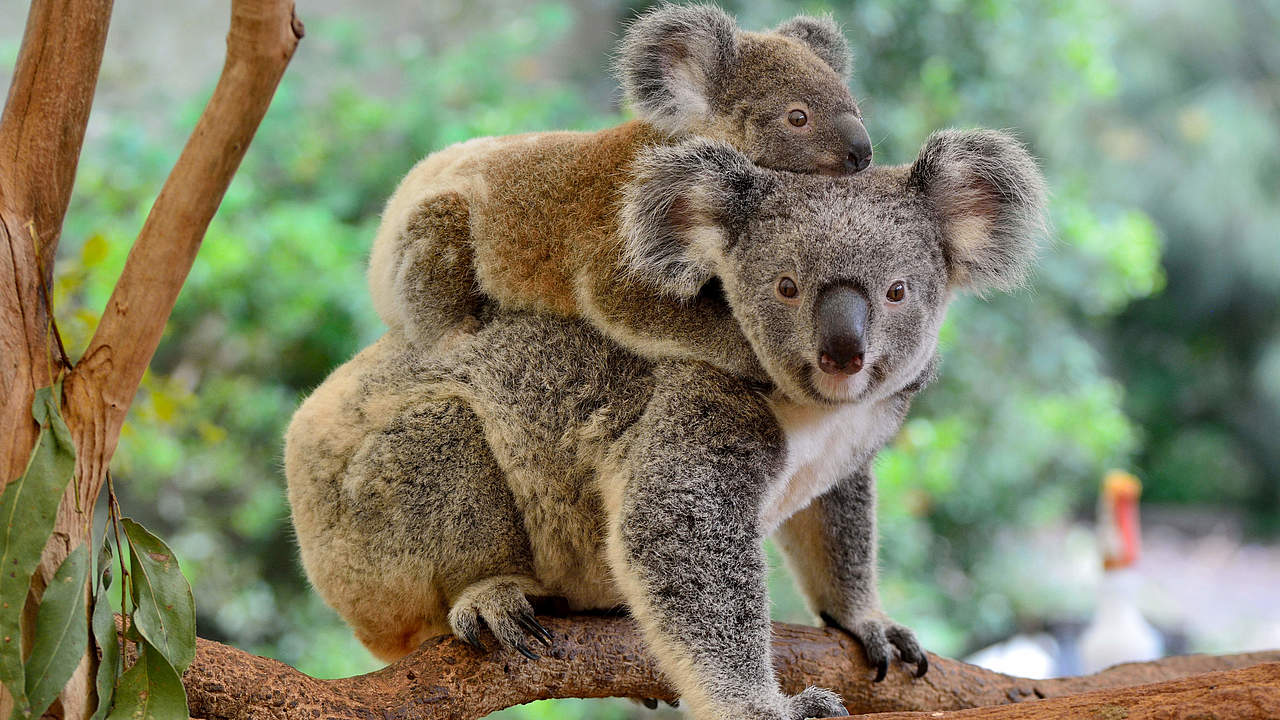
[{"x": 780, "y": 98}]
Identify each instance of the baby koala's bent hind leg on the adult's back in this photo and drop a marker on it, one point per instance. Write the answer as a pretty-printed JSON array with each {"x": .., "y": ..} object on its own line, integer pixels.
[{"x": 432, "y": 274}]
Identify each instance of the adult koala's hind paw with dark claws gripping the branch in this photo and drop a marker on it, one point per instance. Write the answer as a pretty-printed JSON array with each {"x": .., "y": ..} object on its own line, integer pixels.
[{"x": 502, "y": 605}]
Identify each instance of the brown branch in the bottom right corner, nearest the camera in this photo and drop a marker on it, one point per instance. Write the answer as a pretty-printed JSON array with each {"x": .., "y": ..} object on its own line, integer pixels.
[{"x": 1247, "y": 694}]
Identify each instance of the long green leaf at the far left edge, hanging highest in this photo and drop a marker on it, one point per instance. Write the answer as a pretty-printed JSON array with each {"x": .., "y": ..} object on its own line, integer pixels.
[{"x": 28, "y": 511}]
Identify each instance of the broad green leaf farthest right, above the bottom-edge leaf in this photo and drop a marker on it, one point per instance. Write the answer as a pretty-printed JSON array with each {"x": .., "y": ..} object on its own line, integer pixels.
[{"x": 166, "y": 612}]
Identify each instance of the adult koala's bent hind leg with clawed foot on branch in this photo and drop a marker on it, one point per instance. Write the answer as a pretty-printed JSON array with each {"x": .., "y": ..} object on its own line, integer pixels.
[{"x": 435, "y": 526}]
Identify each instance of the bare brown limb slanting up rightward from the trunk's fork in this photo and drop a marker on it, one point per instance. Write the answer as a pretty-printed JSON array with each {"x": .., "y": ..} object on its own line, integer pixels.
[{"x": 102, "y": 388}]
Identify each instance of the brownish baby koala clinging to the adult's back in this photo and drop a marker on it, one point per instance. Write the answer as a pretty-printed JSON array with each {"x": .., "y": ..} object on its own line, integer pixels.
[{"x": 531, "y": 221}]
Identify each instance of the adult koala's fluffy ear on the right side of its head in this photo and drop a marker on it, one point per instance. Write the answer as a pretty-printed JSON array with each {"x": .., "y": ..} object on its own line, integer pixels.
[{"x": 990, "y": 197}]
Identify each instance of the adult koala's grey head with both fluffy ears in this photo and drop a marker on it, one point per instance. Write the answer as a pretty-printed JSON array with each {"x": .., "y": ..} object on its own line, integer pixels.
[{"x": 840, "y": 285}]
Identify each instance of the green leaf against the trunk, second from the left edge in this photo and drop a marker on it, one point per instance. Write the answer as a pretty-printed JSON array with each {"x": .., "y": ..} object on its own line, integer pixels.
[{"x": 62, "y": 632}]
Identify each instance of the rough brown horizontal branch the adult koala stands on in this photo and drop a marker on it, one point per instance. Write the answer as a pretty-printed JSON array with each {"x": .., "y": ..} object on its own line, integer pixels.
[{"x": 605, "y": 658}]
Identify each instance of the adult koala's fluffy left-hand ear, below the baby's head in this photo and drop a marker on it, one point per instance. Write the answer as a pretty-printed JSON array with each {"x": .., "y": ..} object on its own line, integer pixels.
[{"x": 684, "y": 208}]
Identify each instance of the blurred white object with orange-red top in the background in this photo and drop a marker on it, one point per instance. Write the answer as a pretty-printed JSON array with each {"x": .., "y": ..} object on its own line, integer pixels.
[{"x": 1118, "y": 632}]
